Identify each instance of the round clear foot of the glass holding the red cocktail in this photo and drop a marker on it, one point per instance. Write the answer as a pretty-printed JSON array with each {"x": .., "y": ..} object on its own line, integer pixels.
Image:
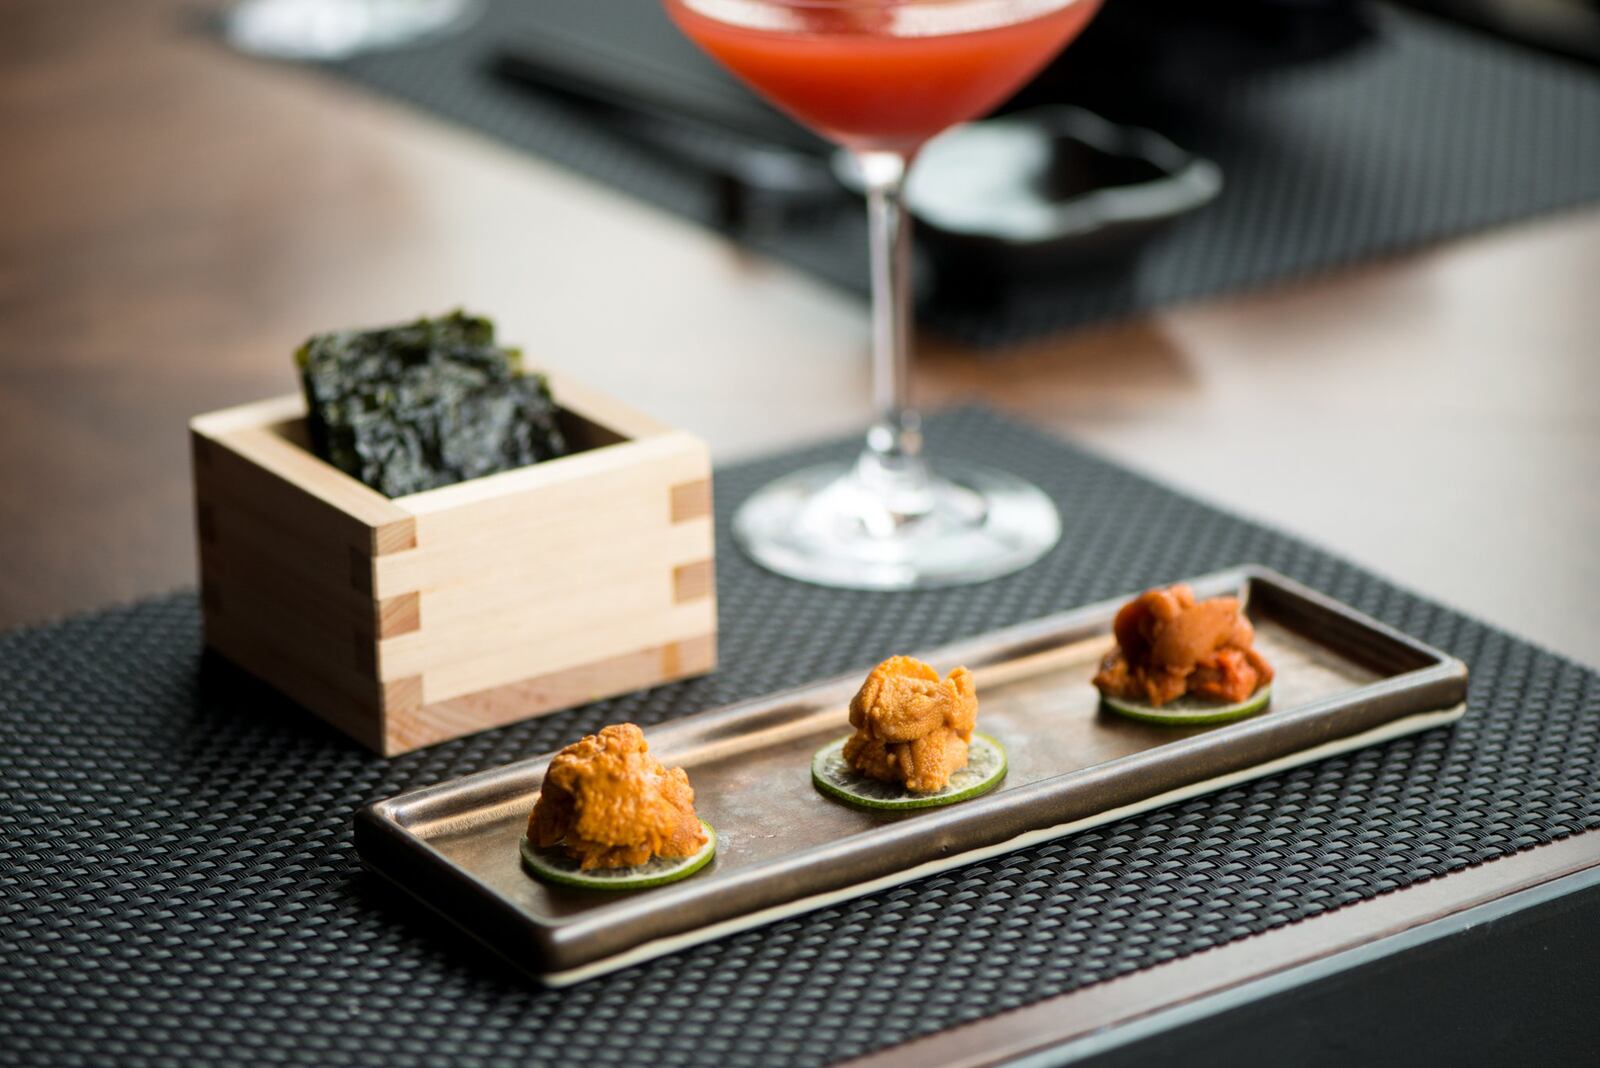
[{"x": 836, "y": 527}]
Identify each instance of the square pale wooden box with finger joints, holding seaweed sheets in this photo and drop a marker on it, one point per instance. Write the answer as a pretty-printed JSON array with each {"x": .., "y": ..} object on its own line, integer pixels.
[{"x": 418, "y": 620}]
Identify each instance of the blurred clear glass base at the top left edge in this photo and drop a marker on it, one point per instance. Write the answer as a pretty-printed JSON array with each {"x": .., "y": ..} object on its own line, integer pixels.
[{"x": 334, "y": 30}]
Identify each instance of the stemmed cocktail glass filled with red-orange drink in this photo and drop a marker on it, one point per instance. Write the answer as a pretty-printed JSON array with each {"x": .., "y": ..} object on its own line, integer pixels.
[{"x": 882, "y": 78}]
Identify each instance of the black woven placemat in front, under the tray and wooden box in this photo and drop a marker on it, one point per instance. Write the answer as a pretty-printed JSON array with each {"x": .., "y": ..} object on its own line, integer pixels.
[{"x": 178, "y": 882}]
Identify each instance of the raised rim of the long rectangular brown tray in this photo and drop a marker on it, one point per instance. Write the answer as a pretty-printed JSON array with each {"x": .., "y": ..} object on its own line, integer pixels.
[{"x": 385, "y": 835}]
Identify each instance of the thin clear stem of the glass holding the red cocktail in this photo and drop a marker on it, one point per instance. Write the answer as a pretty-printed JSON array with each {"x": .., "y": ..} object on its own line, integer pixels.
[{"x": 892, "y": 466}]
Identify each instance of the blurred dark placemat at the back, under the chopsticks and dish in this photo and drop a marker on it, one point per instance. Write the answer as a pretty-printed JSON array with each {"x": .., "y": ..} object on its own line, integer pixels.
[{"x": 1428, "y": 133}]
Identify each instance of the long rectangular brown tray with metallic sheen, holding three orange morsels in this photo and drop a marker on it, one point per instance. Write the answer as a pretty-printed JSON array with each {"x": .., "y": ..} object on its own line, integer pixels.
[{"x": 1343, "y": 682}]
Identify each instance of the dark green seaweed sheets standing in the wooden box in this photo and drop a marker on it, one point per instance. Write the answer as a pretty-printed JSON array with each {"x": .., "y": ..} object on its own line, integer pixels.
[{"x": 425, "y": 405}]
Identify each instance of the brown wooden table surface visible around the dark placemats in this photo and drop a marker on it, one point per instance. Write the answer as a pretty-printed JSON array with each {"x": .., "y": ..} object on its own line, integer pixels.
[{"x": 177, "y": 220}]
